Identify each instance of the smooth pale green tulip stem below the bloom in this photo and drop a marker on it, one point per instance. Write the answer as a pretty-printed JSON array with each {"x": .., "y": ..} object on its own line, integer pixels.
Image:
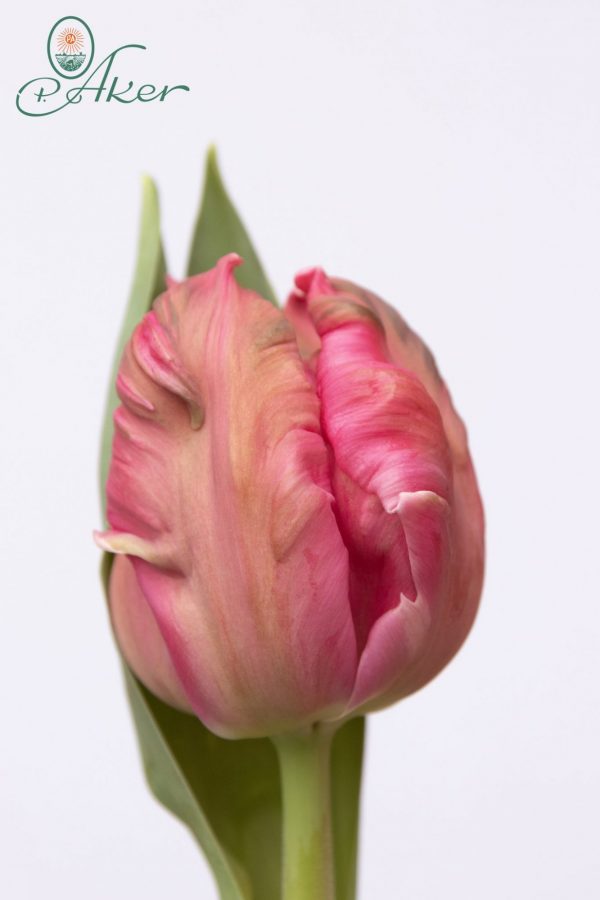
[{"x": 305, "y": 761}]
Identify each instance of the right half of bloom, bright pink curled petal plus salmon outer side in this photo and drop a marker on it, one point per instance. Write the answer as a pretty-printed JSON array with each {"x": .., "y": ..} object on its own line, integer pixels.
[{"x": 400, "y": 490}]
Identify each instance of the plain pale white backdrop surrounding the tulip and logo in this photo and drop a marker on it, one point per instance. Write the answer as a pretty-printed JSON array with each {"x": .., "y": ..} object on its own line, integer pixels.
[{"x": 446, "y": 154}]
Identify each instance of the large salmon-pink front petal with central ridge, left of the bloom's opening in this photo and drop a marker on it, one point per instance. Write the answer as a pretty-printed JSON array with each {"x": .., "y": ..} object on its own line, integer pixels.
[{"x": 219, "y": 490}]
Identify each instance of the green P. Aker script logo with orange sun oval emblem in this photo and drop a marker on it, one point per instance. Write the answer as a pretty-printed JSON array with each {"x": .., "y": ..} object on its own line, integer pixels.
[{"x": 70, "y": 50}]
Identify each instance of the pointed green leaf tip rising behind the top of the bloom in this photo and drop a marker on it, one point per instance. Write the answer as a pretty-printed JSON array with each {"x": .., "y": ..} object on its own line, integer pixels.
[{"x": 219, "y": 230}]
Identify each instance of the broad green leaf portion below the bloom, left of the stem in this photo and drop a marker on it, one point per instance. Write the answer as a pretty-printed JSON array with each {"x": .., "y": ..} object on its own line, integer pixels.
[{"x": 227, "y": 792}]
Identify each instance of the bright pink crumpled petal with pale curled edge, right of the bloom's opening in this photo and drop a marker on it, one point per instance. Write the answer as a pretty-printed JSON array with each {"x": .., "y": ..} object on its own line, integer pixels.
[{"x": 392, "y": 482}]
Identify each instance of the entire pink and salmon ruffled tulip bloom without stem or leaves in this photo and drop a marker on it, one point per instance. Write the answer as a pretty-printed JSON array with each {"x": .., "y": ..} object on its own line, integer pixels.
[{"x": 291, "y": 496}]
